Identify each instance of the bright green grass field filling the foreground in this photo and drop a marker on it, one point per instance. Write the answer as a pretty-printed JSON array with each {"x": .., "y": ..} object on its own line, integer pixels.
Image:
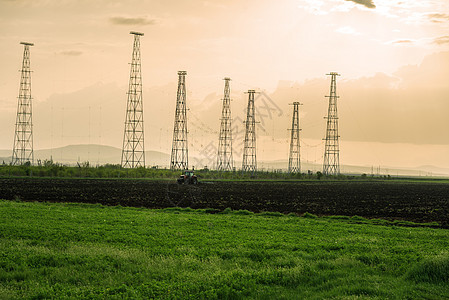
[{"x": 92, "y": 251}]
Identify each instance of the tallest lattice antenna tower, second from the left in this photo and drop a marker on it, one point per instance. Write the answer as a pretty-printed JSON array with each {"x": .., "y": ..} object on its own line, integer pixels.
[{"x": 133, "y": 153}]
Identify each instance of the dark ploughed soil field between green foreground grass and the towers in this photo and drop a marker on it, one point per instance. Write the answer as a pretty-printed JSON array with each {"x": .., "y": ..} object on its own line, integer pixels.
[{"x": 425, "y": 201}]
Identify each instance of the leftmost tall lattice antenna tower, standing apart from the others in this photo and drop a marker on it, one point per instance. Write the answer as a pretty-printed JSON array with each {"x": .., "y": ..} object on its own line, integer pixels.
[{"x": 23, "y": 137}]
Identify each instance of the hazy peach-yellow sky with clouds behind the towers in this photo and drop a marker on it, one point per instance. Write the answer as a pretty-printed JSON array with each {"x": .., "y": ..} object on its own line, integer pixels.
[{"x": 393, "y": 57}]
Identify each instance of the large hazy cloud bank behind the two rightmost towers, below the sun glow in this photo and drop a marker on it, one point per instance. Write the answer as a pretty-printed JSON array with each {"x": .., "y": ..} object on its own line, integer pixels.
[{"x": 379, "y": 108}]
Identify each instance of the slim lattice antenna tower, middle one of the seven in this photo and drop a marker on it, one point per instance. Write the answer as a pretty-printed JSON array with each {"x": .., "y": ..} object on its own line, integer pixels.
[{"x": 224, "y": 159}]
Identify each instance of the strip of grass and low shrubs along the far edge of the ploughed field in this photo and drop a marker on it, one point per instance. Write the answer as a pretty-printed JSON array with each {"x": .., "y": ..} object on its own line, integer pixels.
[{"x": 48, "y": 168}]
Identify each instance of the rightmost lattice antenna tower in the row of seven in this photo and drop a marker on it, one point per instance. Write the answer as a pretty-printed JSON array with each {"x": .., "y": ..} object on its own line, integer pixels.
[{"x": 331, "y": 165}]
